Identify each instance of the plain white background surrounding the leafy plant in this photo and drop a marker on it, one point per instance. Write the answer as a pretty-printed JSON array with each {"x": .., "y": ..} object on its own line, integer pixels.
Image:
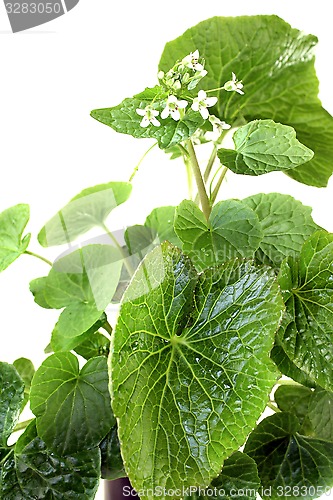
[{"x": 99, "y": 53}]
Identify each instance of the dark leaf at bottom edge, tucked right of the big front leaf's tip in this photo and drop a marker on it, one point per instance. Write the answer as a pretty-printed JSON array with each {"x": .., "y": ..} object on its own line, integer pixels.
[{"x": 238, "y": 479}]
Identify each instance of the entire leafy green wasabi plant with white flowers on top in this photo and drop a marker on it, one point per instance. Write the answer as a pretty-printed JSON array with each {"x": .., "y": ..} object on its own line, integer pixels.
[{"x": 226, "y": 307}]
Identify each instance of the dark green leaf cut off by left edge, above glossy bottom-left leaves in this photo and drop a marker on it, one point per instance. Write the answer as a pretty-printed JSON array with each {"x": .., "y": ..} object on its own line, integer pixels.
[{"x": 11, "y": 392}]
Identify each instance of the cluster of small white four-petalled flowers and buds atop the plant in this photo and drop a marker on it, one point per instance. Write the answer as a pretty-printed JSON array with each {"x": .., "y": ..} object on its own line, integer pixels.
[{"x": 185, "y": 75}]
